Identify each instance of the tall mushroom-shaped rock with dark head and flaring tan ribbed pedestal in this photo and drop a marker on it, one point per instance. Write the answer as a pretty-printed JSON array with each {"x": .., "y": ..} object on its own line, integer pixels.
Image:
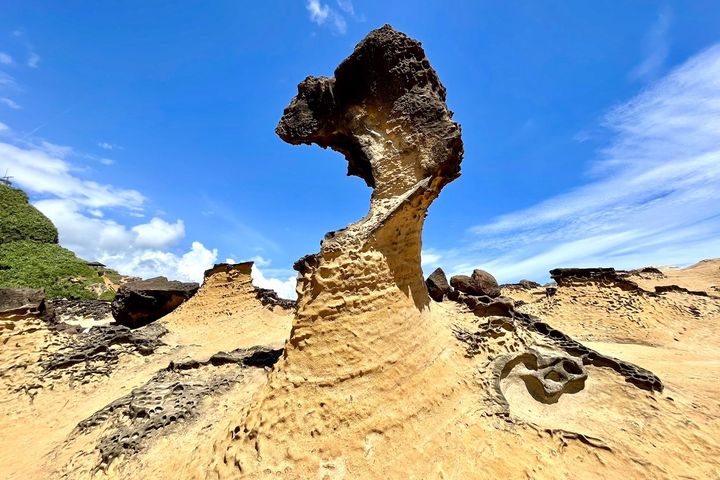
[{"x": 362, "y": 340}]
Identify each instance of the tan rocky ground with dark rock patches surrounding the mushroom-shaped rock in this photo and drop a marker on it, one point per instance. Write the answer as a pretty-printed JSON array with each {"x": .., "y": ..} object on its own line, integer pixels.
[{"x": 152, "y": 398}]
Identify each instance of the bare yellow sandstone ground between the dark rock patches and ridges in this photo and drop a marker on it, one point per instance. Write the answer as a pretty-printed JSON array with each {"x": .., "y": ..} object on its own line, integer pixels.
[{"x": 436, "y": 425}]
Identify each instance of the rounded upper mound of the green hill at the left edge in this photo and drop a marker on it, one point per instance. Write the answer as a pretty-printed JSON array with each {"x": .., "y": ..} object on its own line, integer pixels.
[{"x": 21, "y": 221}]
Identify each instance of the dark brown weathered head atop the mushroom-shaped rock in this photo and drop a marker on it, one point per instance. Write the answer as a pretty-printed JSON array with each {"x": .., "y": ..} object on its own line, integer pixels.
[{"x": 386, "y": 80}]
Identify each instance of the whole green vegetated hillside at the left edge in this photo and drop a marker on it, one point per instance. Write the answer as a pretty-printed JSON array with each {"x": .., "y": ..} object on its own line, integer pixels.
[{"x": 31, "y": 257}]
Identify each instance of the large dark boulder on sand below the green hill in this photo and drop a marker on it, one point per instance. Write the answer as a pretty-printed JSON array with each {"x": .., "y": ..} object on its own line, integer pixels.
[{"x": 139, "y": 303}]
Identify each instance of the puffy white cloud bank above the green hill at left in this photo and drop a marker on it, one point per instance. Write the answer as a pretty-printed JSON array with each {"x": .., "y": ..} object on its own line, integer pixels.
[{"x": 80, "y": 207}]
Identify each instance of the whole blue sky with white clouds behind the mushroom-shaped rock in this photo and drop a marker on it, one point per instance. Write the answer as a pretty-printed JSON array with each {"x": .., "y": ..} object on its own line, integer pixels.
[{"x": 145, "y": 130}]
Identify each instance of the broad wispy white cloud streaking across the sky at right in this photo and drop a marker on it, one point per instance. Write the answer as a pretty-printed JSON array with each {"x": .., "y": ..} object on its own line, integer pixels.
[{"x": 654, "y": 197}]
